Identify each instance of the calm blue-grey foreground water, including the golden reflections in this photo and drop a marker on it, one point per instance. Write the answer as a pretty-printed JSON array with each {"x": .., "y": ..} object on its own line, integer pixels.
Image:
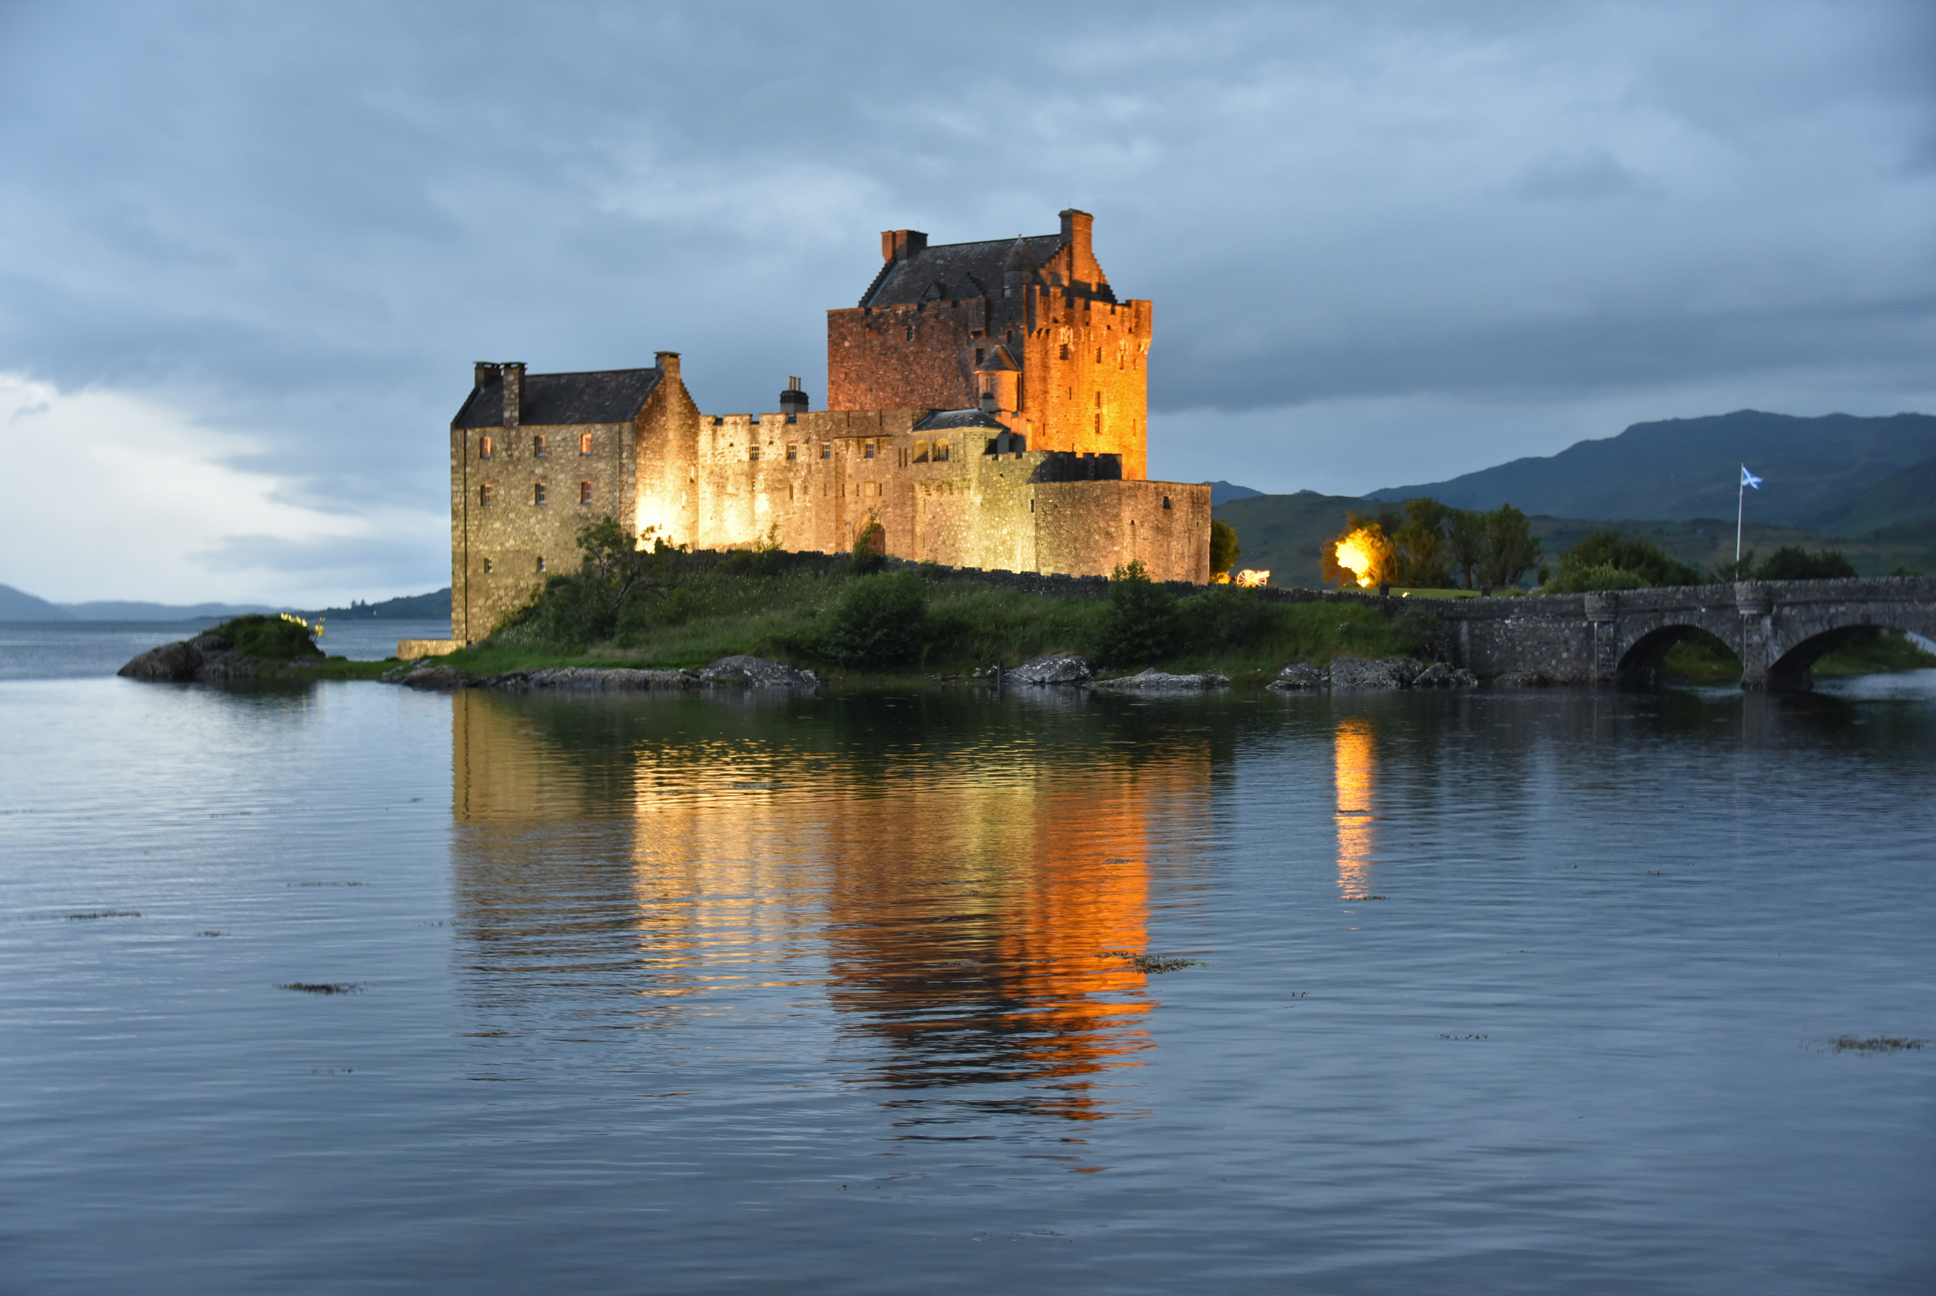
[{"x": 1490, "y": 993}]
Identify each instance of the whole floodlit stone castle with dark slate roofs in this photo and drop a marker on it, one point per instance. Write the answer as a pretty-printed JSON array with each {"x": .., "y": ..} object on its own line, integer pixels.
[{"x": 986, "y": 410}]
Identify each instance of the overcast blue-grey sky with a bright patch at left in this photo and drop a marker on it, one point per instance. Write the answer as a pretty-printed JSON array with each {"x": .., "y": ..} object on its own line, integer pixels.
[{"x": 251, "y": 251}]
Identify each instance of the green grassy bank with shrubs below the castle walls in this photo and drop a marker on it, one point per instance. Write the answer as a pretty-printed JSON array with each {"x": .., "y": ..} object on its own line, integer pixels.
[{"x": 845, "y": 623}]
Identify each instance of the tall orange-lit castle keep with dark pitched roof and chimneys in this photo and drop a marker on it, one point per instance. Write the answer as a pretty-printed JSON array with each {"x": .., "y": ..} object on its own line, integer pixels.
[{"x": 1074, "y": 361}]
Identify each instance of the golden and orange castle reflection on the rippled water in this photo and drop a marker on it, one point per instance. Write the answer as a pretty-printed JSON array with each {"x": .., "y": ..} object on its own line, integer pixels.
[{"x": 952, "y": 890}]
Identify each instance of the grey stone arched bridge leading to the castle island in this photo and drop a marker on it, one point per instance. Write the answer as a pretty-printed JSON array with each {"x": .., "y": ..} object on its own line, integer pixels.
[{"x": 1776, "y": 629}]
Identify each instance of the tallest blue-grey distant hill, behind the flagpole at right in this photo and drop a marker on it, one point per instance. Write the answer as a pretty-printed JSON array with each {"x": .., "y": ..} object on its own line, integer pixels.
[{"x": 1689, "y": 468}]
